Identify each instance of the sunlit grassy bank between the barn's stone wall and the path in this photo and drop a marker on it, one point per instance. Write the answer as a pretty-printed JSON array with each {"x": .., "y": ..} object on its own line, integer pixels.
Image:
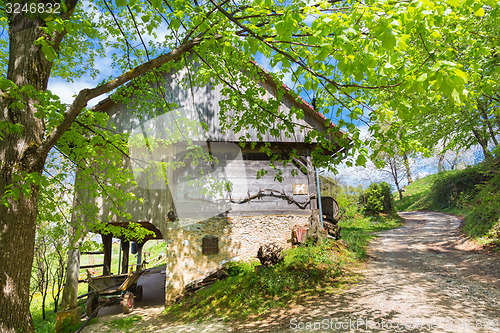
[{"x": 305, "y": 272}]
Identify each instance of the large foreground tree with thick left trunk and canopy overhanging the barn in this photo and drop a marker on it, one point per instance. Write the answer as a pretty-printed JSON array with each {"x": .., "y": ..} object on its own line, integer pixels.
[{"x": 347, "y": 50}]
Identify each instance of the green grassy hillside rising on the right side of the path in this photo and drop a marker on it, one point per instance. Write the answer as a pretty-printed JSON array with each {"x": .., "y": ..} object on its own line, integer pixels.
[{"x": 473, "y": 193}]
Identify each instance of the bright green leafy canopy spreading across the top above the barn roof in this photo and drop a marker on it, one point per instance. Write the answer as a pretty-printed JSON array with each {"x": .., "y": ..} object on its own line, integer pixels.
[{"x": 365, "y": 62}]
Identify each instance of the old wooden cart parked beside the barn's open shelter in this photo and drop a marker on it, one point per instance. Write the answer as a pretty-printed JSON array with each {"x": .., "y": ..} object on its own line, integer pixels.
[{"x": 113, "y": 290}]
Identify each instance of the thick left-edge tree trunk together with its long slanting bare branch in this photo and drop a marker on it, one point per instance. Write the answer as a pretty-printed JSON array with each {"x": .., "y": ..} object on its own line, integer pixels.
[{"x": 24, "y": 152}]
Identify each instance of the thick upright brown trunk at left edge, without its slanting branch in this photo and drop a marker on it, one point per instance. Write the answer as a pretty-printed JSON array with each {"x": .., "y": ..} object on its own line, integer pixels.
[{"x": 27, "y": 66}]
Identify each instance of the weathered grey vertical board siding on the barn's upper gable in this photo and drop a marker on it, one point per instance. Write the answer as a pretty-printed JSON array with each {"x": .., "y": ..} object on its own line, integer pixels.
[{"x": 202, "y": 104}]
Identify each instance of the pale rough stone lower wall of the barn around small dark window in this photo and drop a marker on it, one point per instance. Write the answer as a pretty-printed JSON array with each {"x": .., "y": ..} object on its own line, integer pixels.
[{"x": 239, "y": 239}]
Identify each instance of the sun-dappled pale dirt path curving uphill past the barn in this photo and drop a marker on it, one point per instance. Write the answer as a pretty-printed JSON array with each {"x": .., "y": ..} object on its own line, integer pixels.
[{"x": 421, "y": 277}]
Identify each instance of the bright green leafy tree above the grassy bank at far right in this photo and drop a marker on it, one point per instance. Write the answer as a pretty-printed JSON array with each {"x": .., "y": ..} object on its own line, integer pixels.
[{"x": 459, "y": 122}]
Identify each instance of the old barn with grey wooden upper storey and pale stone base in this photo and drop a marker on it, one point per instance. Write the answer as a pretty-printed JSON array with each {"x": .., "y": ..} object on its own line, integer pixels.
[{"x": 203, "y": 190}]
